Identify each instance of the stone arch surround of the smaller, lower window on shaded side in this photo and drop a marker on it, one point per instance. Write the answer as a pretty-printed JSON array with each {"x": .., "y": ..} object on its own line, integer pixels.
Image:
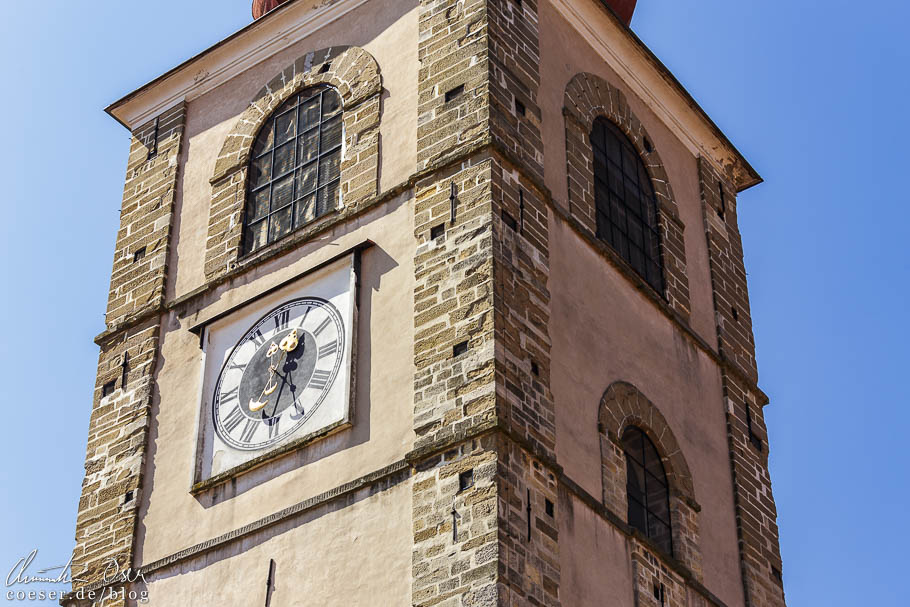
[{"x": 622, "y": 406}]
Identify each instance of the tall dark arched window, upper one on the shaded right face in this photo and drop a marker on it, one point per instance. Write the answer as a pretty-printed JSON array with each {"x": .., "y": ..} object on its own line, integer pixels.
[{"x": 625, "y": 201}]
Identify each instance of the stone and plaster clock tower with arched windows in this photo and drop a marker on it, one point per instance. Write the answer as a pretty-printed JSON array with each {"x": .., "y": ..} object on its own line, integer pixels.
[{"x": 427, "y": 302}]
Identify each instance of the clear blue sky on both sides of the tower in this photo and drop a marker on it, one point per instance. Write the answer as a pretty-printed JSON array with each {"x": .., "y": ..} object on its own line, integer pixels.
[{"x": 814, "y": 93}]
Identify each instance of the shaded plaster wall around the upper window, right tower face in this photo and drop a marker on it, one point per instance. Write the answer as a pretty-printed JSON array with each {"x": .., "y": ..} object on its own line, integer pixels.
[{"x": 565, "y": 53}]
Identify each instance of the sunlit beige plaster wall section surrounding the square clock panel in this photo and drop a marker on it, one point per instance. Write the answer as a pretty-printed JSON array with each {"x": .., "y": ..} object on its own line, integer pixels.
[{"x": 171, "y": 519}]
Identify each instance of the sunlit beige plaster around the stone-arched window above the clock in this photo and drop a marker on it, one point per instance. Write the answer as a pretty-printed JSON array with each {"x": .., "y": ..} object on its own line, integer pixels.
[{"x": 387, "y": 30}]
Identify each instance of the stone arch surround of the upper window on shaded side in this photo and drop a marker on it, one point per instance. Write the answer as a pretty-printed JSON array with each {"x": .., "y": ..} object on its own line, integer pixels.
[{"x": 588, "y": 97}]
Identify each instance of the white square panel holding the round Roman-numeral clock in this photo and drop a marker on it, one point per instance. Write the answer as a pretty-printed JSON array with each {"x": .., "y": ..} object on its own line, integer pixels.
[{"x": 278, "y": 370}]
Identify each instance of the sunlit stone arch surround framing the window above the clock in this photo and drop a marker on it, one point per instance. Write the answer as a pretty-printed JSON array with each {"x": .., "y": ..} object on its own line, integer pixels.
[{"x": 354, "y": 74}]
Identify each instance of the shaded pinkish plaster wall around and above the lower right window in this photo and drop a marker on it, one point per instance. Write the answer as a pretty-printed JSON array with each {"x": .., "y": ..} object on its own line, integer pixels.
[{"x": 636, "y": 343}]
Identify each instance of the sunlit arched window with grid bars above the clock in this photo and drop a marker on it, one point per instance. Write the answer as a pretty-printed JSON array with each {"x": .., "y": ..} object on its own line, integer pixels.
[{"x": 295, "y": 167}]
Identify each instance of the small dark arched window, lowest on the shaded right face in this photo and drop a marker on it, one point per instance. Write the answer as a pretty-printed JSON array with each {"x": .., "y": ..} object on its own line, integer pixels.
[{"x": 647, "y": 489}]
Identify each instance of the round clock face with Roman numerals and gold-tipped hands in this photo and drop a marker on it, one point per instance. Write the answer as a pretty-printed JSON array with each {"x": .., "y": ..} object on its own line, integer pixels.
[{"x": 278, "y": 374}]
